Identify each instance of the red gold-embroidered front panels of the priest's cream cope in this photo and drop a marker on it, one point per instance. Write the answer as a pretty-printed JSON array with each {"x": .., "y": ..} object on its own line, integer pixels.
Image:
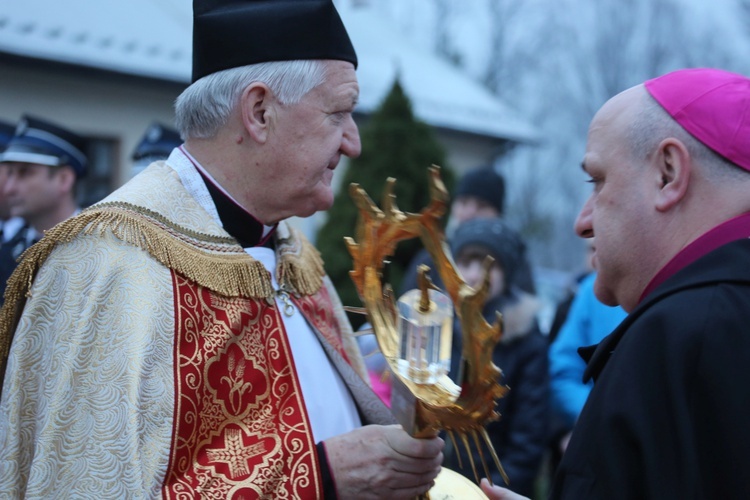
[{"x": 240, "y": 428}]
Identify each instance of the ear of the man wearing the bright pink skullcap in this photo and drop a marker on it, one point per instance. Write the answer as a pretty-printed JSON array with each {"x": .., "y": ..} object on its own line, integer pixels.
[{"x": 673, "y": 168}]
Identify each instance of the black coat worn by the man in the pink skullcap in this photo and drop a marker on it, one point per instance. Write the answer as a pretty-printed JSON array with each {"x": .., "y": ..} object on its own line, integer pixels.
[{"x": 669, "y": 415}]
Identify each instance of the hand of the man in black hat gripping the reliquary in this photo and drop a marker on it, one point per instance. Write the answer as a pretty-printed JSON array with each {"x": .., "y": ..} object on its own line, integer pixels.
[{"x": 378, "y": 461}]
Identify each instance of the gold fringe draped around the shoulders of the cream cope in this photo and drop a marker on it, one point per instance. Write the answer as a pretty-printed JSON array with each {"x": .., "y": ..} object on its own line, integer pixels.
[{"x": 222, "y": 267}]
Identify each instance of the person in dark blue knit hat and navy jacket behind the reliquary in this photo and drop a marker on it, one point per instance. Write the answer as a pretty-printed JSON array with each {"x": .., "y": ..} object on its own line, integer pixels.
[{"x": 519, "y": 437}]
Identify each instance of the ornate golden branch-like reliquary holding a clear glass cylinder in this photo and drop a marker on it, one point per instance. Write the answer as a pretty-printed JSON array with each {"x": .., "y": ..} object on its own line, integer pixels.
[{"x": 414, "y": 332}]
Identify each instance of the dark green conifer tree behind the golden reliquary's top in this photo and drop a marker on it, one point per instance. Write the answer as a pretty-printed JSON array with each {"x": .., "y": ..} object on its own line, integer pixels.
[{"x": 394, "y": 144}]
